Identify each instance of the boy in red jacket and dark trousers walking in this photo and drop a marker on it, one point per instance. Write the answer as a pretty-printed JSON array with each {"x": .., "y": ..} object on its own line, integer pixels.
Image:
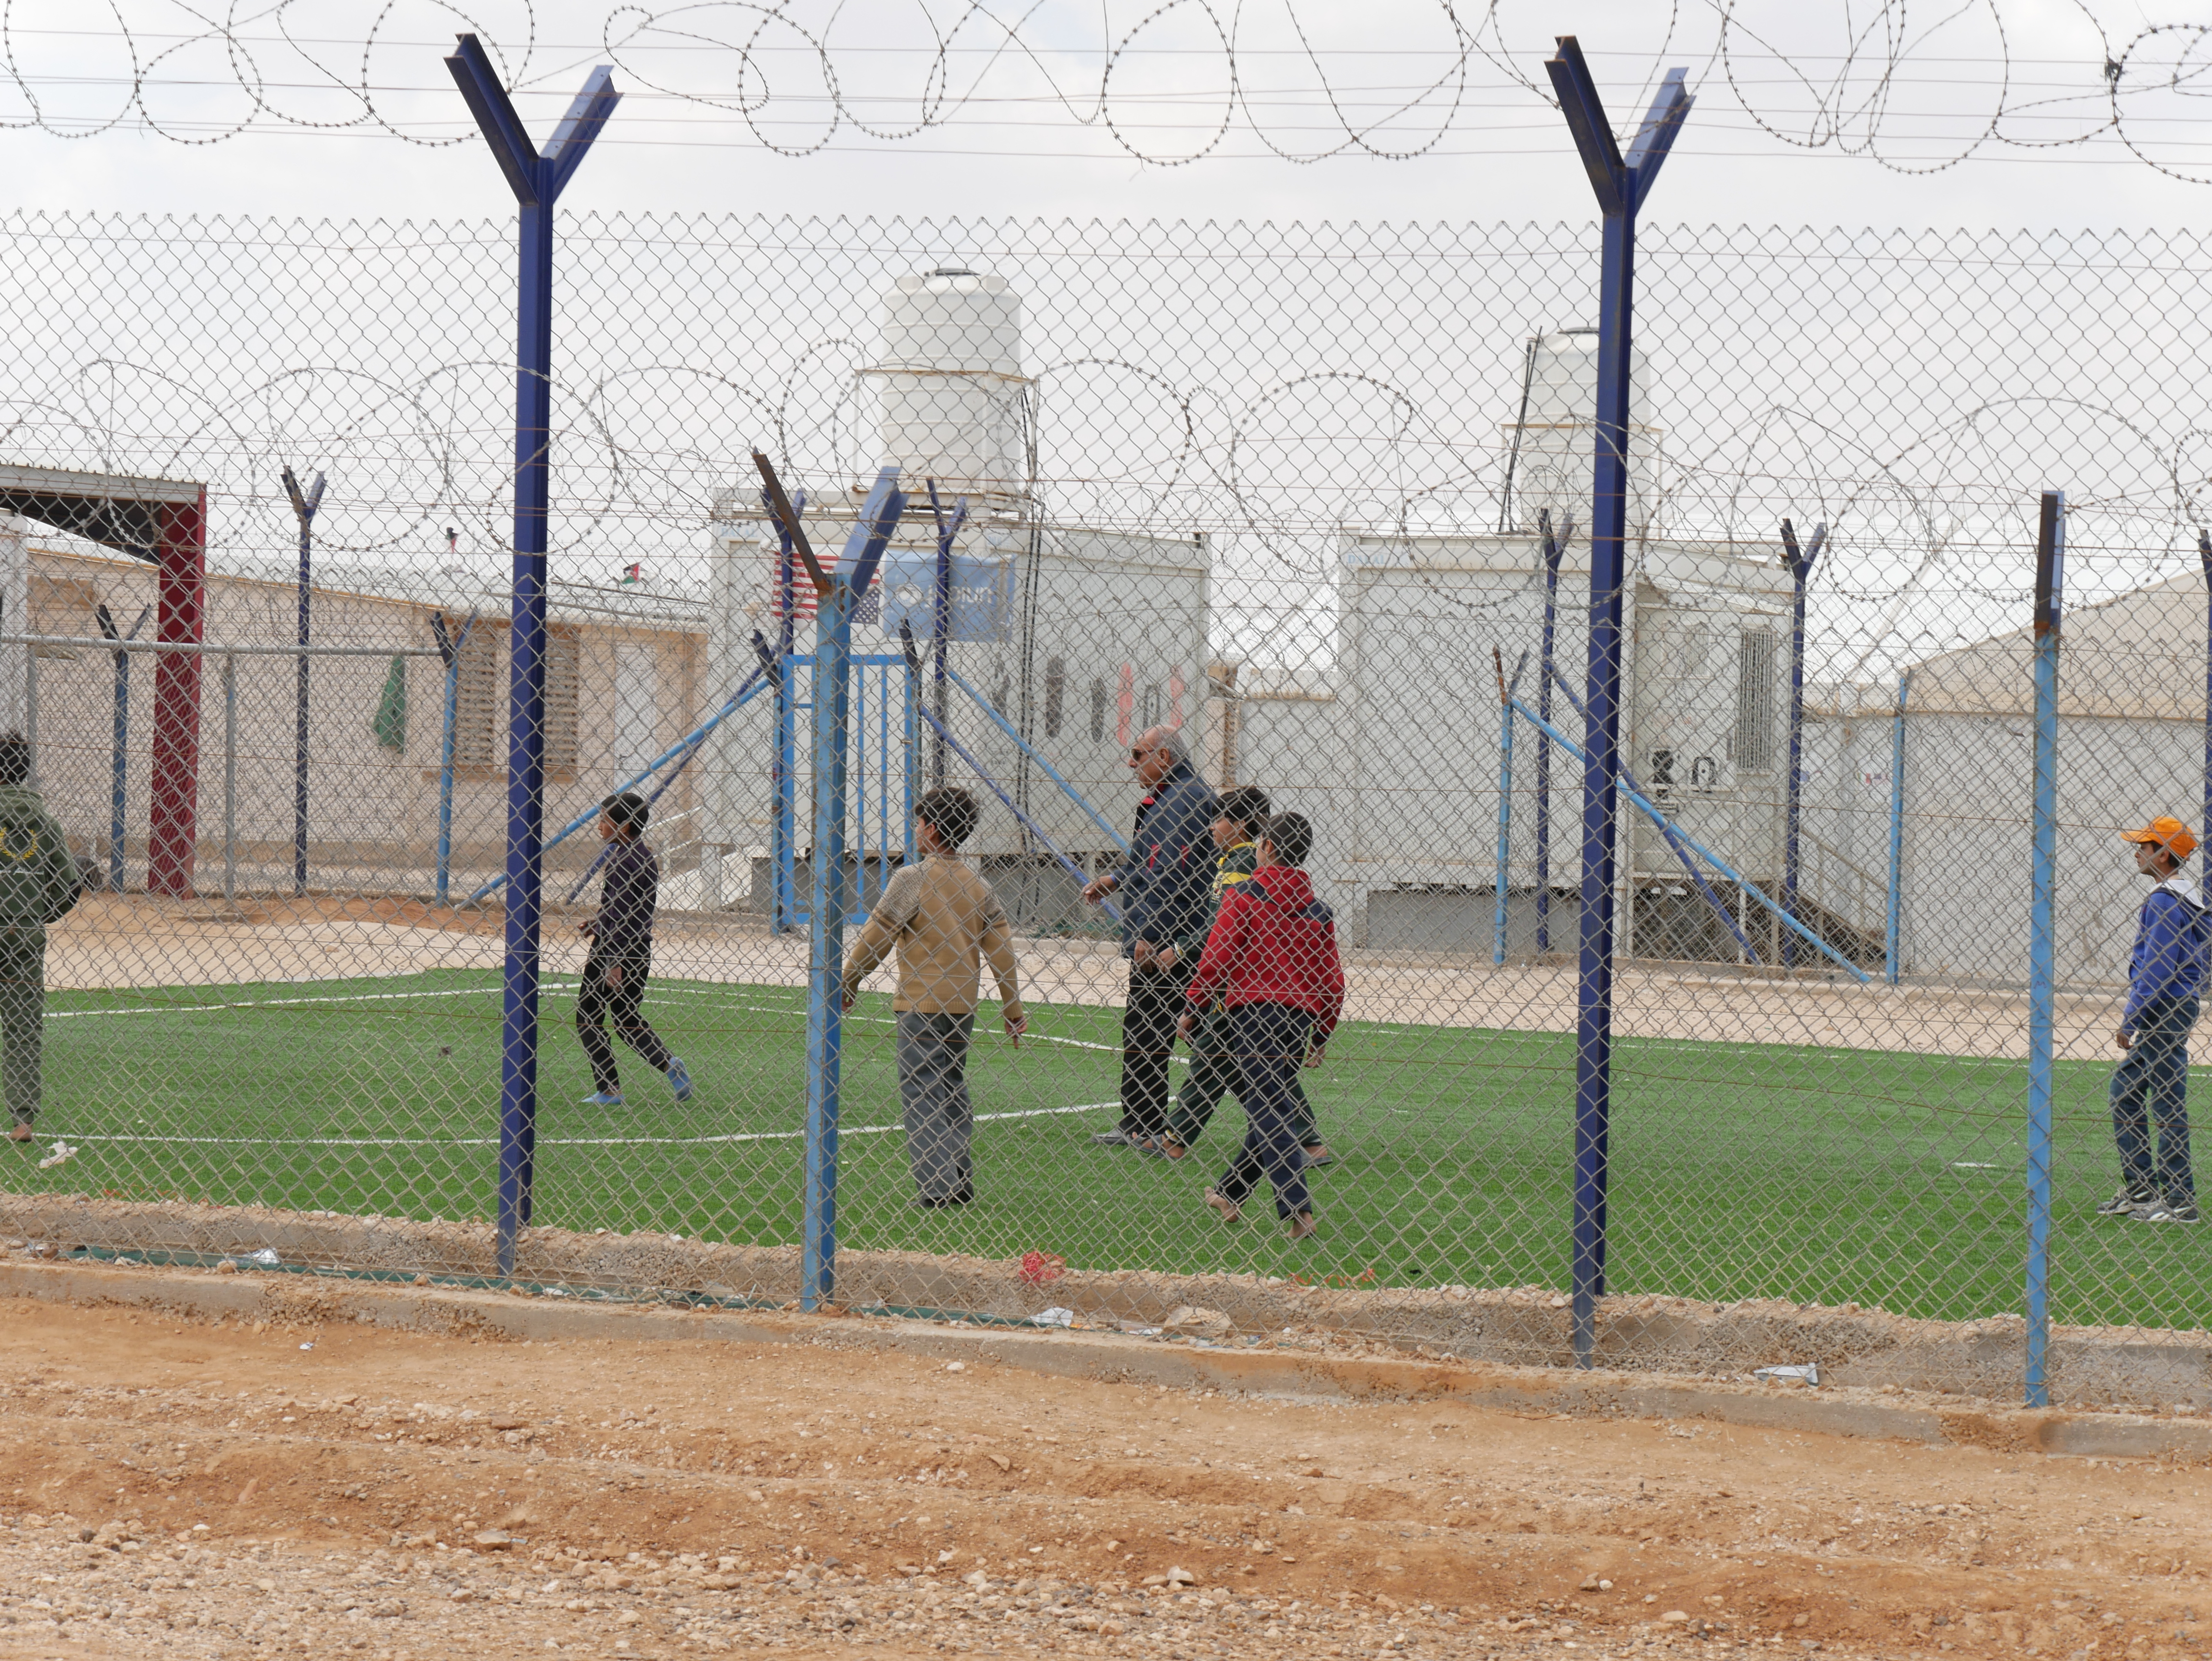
[{"x": 1273, "y": 961}]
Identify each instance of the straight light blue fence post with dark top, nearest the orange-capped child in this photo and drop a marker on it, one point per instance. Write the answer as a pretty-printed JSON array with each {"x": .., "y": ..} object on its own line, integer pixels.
[{"x": 2043, "y": 934}]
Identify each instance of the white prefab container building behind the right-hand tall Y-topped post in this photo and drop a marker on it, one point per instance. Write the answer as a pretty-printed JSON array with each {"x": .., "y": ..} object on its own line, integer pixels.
[{"x": 1399, "y": 749}]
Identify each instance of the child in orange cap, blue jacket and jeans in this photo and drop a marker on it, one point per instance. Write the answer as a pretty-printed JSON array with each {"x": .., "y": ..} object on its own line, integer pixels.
[{"x": 2164, "y": 979}]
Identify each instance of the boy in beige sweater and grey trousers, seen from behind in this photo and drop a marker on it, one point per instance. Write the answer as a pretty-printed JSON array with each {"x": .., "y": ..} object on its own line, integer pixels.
[{"x": 946, "y": 921}]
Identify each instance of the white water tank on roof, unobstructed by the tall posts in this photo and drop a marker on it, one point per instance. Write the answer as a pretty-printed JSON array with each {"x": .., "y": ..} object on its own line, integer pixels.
[{"x": 954, "y": 397}]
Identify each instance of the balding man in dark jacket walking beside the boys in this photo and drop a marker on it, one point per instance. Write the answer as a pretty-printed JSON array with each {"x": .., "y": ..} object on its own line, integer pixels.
[{"x": 1167, "y": 892}]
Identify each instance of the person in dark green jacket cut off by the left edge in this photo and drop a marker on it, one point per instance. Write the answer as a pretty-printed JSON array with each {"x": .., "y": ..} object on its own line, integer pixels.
[{"x": 39, "y": 884}]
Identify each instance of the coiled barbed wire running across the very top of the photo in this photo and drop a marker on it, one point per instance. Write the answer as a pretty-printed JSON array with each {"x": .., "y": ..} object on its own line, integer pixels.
[{"x": 1165, "y": 85}]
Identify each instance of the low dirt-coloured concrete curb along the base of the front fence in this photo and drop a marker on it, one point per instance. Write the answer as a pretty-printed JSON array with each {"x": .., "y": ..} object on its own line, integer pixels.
[{"x": 1127, "y": 1359}]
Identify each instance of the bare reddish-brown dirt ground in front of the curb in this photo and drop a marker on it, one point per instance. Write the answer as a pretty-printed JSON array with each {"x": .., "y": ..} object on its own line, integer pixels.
[{"x": 185, "y": 1490}]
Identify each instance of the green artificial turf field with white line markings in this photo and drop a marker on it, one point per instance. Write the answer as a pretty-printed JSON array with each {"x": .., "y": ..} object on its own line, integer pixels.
[{"x": 1738, "y": 1171}]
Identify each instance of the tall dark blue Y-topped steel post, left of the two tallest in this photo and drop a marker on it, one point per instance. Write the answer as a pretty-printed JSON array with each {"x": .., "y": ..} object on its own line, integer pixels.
[{"x": 536, "y": 178}]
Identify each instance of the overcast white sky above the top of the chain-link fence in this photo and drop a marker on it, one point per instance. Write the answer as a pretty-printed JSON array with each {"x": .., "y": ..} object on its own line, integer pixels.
[{"x": 1027, "y": 134}]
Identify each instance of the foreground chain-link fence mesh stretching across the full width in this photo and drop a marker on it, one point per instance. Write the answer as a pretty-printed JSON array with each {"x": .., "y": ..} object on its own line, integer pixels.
[{"x": 1277, "y": 492}]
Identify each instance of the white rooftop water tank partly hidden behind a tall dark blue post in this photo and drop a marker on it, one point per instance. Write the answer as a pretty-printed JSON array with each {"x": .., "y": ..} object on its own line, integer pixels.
[{"x": 1552, "y": 443}]
